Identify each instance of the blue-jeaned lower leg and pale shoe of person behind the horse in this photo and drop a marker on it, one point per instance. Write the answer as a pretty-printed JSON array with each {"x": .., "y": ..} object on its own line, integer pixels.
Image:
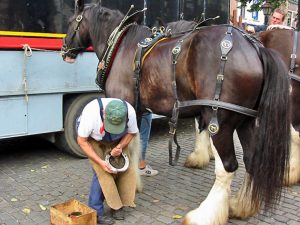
[{"x": 145, "y": 129}]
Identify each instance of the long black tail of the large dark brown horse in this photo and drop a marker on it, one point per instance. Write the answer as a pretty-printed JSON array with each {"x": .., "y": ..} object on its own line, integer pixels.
[{"x": 272, "y": 133}]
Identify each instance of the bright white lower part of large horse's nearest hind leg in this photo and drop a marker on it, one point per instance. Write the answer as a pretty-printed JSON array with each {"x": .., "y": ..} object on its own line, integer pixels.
[{"x": 214, "y": 209}]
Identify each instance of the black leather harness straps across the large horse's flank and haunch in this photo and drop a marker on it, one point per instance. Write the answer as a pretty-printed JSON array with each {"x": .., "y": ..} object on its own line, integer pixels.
[{"x": 213, "y": 127}]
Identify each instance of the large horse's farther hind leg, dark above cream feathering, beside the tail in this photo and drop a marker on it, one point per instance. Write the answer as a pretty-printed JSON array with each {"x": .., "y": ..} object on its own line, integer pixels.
[{"x": 240, "y": 205}]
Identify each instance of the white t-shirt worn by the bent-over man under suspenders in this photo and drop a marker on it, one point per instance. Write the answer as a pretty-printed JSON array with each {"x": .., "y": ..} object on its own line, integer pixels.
[{"x": 91, "y": 123}]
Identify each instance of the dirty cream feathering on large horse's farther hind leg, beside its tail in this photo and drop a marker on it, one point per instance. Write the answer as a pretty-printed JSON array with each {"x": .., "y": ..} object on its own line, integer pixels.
[{"x": 240, "y": 205}]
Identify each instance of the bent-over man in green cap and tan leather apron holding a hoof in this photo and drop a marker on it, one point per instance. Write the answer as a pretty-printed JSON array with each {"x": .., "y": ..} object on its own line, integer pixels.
[{"x": 109, "y": 126}]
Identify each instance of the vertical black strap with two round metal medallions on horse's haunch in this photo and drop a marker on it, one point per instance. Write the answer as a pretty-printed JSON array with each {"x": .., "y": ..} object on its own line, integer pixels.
[{"x": 226, "y": 46}]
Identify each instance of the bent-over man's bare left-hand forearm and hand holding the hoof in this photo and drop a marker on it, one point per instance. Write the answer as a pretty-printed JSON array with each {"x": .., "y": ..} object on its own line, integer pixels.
[{"x": 91, "y": 154}]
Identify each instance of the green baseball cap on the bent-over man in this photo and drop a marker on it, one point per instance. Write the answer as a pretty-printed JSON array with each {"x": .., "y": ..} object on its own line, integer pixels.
[{"x": 115, "y": 117}]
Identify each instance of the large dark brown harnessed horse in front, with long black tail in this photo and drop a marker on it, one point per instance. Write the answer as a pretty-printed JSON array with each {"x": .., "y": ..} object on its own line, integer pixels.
[{"x": 225, "y": 86}]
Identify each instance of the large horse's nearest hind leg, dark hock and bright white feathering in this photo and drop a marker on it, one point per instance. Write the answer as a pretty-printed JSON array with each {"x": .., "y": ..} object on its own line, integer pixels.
[{"x": 214, "y": 209}]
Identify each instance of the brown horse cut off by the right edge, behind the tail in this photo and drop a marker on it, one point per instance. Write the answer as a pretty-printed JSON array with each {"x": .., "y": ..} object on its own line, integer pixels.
[{"x": 287, "y": 43}]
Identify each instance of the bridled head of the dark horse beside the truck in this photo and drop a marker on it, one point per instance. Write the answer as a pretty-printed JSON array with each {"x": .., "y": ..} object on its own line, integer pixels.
[{"x": 77, "y": 38}]
